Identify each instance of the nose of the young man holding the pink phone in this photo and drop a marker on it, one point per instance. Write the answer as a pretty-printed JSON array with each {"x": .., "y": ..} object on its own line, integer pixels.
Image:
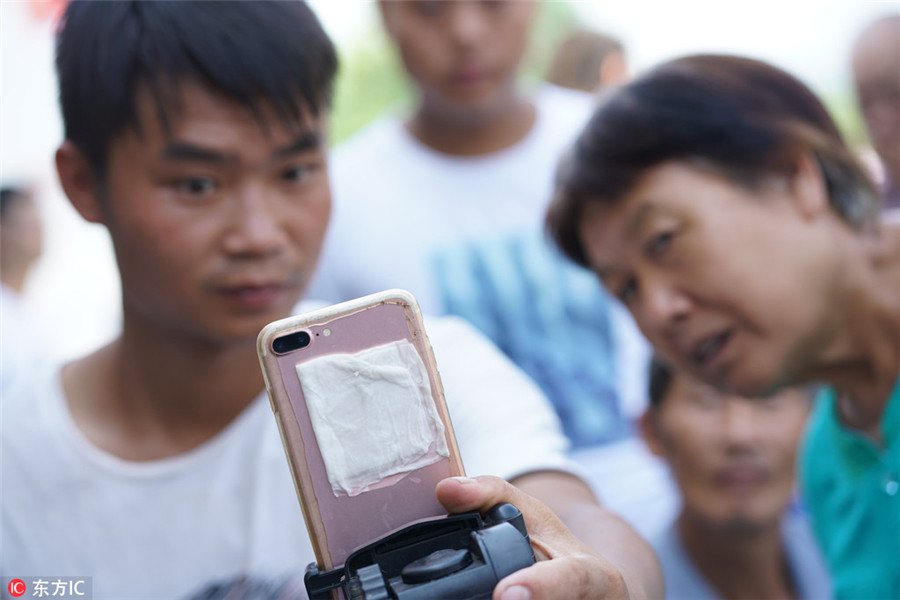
[{"x": 254, "y": 224}]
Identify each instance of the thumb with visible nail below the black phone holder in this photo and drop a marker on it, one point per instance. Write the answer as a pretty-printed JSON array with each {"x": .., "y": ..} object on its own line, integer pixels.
[{"x": 579, "y": 577}]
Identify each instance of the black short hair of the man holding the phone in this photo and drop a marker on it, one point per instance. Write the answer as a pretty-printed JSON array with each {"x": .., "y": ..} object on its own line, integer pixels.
[{"x": 254, "y": 52}]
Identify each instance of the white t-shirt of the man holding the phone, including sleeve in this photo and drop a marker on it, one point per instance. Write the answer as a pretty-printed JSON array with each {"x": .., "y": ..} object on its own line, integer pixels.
[{"x": 226, "y": 510}]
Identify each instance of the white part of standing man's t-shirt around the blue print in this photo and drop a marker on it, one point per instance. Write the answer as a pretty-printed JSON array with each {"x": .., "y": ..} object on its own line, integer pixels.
[{"x": 397, "y": 200}]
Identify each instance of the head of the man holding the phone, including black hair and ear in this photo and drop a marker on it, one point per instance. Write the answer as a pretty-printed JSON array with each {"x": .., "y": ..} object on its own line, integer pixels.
[{"x": 195, "y": 134}]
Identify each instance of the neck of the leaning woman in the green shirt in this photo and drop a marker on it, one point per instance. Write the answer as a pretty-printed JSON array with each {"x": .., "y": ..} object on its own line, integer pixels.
[{"x": 863, "y": 362}]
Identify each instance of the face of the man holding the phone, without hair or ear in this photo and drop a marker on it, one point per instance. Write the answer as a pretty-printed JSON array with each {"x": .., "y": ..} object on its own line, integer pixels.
[{"x": 217, "y": 227}]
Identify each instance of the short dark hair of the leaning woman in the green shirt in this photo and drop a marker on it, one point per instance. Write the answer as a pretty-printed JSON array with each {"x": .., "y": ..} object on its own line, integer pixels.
[{"x": 738, "y": 117}]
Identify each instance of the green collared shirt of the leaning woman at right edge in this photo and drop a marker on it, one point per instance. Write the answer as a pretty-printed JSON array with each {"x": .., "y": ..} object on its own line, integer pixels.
[{"x": 852, "y": 488}]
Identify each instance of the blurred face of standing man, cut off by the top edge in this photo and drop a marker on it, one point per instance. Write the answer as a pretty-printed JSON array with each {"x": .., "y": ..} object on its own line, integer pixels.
[{"x": 462, "y": 55}]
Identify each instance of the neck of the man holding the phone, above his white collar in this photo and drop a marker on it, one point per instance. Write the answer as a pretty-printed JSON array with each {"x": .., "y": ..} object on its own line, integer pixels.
[{"x": 150, "y": 394}]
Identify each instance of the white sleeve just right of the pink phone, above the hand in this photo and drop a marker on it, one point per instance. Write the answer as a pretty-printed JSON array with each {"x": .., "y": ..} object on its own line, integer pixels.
[{"x": 504, "y": 424}]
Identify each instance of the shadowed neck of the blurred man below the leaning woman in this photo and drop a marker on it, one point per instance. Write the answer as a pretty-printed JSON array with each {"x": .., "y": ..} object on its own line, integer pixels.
[{"x": 748, "y": 564}]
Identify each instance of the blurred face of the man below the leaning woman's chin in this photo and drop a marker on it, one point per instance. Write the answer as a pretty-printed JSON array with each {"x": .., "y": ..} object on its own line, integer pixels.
[{"x": 732, "y": 457}]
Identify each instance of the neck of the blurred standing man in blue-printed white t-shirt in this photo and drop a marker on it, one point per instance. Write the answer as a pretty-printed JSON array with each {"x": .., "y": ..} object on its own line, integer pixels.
[{"x": 468, "y": 133}]
